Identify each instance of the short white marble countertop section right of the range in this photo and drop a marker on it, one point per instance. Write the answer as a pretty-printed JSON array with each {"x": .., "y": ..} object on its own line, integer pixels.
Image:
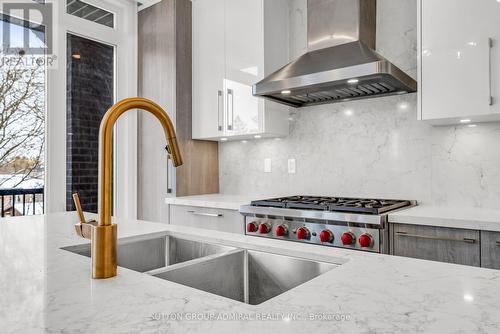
[{"x": 456, "y": 217}]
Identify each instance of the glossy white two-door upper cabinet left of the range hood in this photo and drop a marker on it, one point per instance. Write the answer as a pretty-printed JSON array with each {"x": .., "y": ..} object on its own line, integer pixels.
[{"x": 235, "y": 44}]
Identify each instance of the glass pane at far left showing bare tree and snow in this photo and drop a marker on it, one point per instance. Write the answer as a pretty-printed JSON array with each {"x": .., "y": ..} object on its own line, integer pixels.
[{"x": 22, "y": 118}]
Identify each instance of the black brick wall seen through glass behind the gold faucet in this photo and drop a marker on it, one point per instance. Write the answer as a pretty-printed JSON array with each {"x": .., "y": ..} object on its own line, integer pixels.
[{"x": 90, "y": 93}]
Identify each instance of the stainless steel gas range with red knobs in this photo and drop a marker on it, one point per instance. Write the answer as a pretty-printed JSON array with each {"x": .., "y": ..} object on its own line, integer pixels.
[{"x": 352, "y": 223}]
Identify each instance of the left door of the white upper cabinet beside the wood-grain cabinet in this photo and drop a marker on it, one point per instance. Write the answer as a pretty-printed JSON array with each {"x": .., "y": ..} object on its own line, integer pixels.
[{"x": 208, "y": 68}]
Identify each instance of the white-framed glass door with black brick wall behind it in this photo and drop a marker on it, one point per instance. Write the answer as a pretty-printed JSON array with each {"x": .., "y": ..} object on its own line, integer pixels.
[{"x": 96, "y": 67}]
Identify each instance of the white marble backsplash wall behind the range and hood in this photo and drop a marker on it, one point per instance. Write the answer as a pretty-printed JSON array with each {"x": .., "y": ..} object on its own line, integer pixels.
[{"x": 371, "y": 148}]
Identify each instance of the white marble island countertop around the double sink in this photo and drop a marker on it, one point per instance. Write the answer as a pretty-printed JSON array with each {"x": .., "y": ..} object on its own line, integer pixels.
[{"x": 48, "y": 290}]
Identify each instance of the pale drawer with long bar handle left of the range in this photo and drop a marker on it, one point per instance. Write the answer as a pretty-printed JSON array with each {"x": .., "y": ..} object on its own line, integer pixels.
[{"x": 207, "y": 218}]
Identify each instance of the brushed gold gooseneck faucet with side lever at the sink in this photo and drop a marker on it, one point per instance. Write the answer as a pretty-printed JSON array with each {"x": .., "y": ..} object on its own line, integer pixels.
[{"x": 103, "y": 233}]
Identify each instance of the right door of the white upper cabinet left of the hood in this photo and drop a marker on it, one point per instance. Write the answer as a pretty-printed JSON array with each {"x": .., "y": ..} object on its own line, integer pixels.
[{"x": 244, "y": 45}]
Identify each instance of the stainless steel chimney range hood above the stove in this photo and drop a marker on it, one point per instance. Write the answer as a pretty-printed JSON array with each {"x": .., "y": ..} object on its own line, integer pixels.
[{"x": 341, "y": 64}]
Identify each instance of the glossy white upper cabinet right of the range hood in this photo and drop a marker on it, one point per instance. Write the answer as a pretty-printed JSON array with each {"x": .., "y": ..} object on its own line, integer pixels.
[{"x": 459, "y": 63}]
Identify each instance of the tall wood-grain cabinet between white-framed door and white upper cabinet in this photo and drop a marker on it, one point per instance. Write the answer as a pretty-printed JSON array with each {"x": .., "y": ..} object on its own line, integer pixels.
[{"x": 164, "y": 31}]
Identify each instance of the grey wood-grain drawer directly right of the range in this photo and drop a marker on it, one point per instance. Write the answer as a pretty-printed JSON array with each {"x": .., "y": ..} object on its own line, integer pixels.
[{"x": 436, "y": 243}]
